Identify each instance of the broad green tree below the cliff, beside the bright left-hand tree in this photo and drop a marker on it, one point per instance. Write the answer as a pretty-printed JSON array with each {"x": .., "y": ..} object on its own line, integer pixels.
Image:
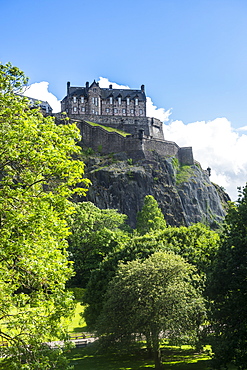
[{"x": 94, "y": 234}]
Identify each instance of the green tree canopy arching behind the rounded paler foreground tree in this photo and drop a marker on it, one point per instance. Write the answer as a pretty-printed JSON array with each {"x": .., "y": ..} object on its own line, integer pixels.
[{"x": 196, "y": 244}]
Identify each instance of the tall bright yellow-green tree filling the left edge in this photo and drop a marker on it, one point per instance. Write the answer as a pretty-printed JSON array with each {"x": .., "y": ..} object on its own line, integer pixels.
[{"x": 38, "y": 175}]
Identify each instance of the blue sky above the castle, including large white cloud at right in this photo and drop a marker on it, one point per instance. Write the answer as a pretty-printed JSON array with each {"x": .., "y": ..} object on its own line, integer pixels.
[{"x": 191, "y": 55}]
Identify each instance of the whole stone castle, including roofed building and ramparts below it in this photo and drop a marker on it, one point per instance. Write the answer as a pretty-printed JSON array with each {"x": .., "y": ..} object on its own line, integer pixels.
[{"x": 124, "y": 110}]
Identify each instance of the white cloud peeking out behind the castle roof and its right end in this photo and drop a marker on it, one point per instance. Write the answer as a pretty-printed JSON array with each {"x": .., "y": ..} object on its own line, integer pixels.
[{"x": 152, "y": 110}]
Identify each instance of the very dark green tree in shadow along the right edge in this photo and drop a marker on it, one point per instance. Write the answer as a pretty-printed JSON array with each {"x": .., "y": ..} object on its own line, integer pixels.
[{"x": 228, "y": 289}]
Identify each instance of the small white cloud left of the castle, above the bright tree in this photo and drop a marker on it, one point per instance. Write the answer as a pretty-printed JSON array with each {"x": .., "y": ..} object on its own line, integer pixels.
[{"x": 40, "y": 91}]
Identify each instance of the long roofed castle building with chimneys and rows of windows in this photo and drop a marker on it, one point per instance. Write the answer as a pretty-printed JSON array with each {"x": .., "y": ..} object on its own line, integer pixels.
[{"x": 94, "y": 100}]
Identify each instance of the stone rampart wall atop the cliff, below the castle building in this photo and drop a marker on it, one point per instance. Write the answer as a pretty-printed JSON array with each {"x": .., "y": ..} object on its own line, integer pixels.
[{"x": 137, "y": 145}]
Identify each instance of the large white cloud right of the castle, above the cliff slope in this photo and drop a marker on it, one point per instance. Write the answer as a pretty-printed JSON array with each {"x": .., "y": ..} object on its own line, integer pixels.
[{"x": 216, "y": 145}]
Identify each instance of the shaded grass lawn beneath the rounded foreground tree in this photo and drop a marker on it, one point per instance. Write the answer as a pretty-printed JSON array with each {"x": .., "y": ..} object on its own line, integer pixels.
[{"x": 174, "y": 358}]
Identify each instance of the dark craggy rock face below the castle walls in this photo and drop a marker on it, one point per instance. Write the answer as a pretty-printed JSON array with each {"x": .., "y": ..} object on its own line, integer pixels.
[{"x": 122, "y": 184}]
